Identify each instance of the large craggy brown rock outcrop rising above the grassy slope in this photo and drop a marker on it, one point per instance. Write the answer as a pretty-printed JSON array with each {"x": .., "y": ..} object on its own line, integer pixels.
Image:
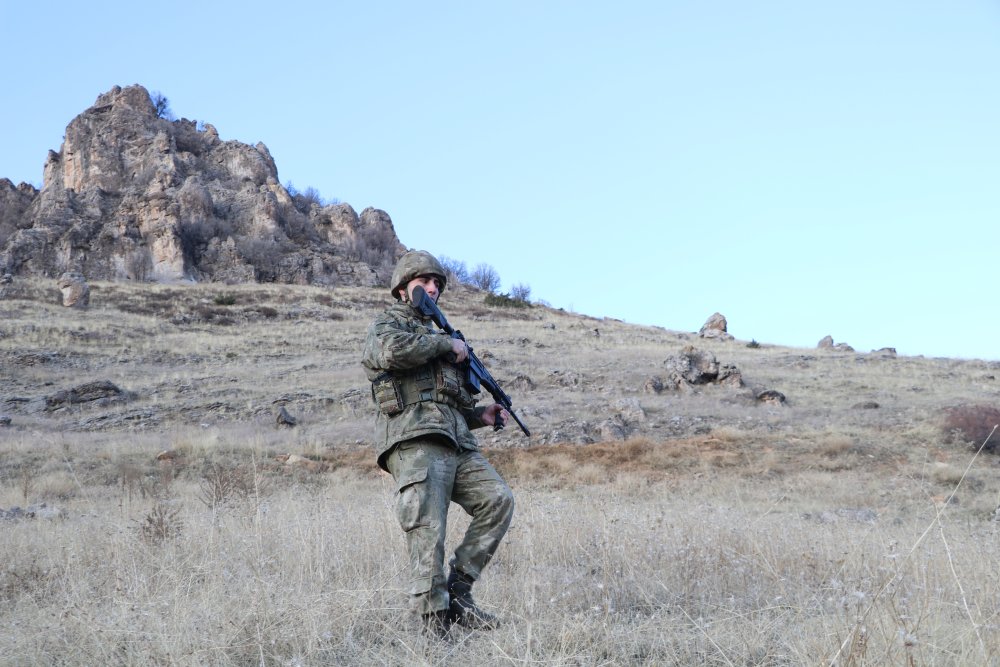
[{"x": 132, "y": 195}]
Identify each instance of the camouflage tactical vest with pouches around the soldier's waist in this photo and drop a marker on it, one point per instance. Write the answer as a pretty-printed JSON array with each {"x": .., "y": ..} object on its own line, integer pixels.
[{"x": 438, "y": 381}]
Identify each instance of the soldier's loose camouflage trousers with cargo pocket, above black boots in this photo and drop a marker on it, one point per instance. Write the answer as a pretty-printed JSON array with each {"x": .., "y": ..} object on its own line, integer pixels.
[{"x": 429, "y": 476}]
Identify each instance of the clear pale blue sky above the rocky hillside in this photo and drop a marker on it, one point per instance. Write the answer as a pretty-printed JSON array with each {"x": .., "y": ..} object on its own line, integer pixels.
[{"x": 804, "y": 168}]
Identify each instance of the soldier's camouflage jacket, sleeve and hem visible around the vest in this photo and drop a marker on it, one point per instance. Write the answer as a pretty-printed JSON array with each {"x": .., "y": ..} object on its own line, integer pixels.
[{"x": 402, "y": 340}]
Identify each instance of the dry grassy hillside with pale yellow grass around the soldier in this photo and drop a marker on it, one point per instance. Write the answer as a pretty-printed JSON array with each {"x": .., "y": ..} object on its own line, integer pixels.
[{"x": 177, "y": 522}]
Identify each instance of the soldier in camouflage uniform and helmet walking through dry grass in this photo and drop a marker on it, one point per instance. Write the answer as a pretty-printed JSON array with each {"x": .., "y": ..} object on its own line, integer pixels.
[{"x": 424, "y": 439}]
